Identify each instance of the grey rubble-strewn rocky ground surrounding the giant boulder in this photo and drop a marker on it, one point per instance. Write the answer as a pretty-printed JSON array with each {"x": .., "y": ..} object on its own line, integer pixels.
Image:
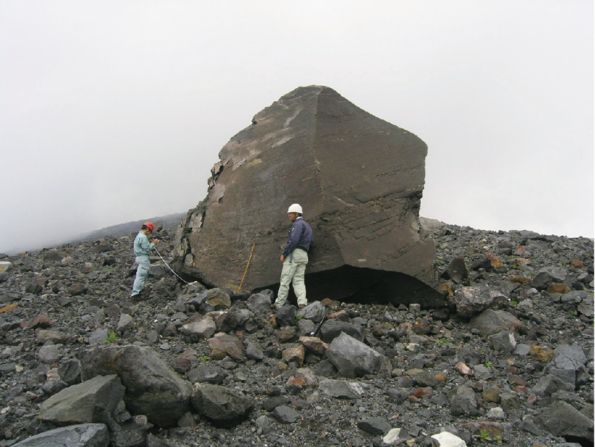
[{"x": 509, "y": 360}]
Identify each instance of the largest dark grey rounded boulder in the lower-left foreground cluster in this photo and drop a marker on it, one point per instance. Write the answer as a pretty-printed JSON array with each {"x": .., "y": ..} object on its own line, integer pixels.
[{"x": 152, "y": 387}]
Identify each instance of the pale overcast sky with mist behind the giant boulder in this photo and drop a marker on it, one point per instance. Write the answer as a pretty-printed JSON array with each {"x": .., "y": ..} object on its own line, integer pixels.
[{"x": 115, "y": 111}]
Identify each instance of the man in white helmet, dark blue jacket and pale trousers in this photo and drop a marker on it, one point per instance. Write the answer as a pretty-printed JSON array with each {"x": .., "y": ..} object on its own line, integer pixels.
[{"x": 295, "y": 258}]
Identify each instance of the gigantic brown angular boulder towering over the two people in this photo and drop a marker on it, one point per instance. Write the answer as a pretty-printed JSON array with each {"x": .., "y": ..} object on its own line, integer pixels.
[{"x": 360, "y": 181}]
